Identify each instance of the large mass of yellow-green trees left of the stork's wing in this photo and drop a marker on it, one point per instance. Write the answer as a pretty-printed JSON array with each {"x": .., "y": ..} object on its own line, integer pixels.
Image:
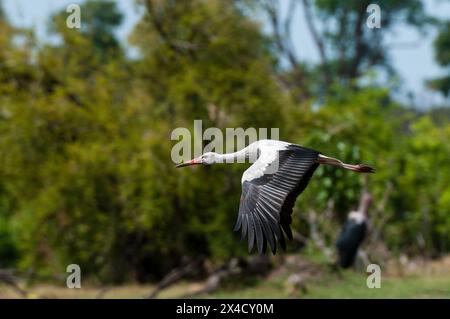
[{"x": 88, "y": 158}]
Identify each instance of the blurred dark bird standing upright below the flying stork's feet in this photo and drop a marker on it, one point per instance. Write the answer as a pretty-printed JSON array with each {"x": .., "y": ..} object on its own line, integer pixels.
[{"x": 353, "y": 233}]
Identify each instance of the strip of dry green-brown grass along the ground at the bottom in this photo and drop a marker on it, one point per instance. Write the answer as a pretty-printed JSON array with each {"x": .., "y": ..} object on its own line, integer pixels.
[{"x": 401, "y": 279}]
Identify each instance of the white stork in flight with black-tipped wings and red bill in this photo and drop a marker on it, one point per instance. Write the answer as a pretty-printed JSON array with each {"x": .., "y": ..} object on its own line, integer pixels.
[{"x": 268, "y": 194}]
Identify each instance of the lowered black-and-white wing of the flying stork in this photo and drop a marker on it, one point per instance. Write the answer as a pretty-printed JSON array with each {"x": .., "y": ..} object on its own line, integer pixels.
[{"x": 268, "y": 194}]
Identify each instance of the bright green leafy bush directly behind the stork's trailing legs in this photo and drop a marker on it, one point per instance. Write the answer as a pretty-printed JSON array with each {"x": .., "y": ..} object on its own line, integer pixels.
[{"x": 357, "y": 127}]
